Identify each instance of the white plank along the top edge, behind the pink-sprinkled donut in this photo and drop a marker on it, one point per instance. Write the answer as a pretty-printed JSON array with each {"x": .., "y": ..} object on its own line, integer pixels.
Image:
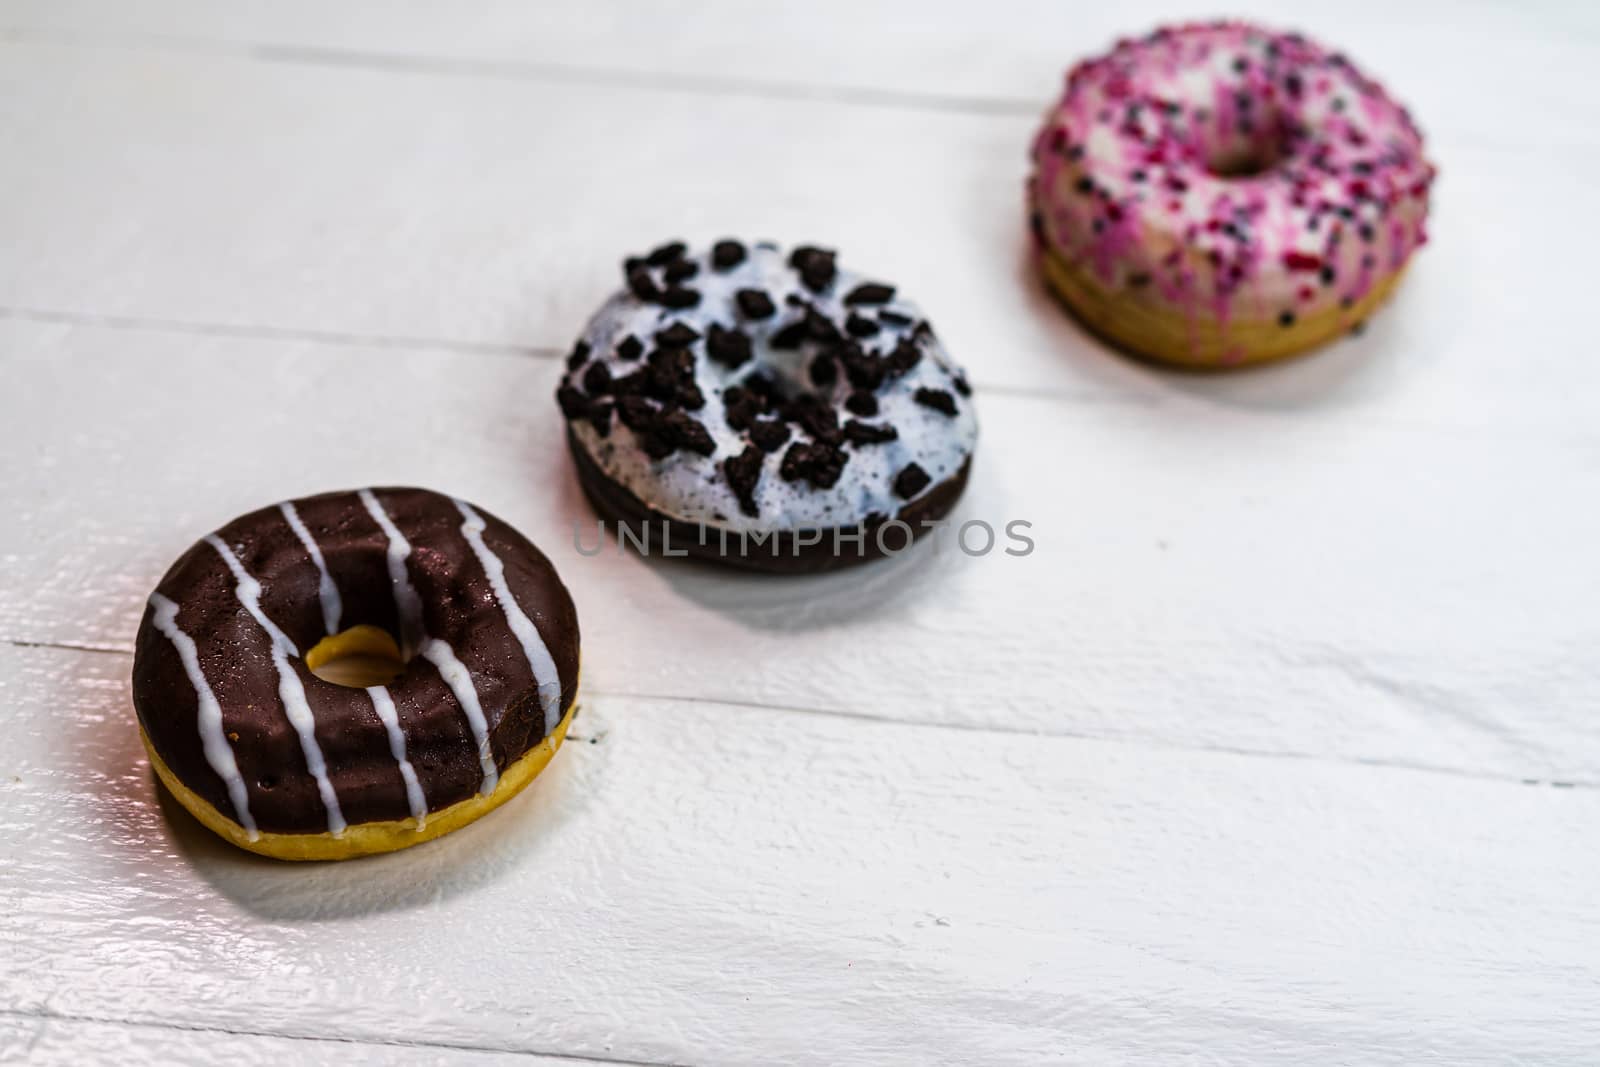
[{"x": 1007, "y": 55}]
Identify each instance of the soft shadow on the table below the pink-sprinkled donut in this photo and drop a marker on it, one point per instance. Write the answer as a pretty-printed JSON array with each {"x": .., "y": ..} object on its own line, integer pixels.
[{"x": 1337, "y": 374}]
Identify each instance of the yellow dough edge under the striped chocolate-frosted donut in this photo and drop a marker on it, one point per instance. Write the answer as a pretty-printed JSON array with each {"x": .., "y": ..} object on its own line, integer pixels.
[{"x": 366, "y": 839}]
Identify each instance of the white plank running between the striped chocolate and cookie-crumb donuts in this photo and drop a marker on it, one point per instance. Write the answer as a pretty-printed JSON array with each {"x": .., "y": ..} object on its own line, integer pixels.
[{"x": 1204, "y": 577}]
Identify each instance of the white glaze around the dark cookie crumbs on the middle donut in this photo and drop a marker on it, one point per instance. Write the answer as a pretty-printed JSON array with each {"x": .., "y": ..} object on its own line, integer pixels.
[{"x": 692, "y": 487}]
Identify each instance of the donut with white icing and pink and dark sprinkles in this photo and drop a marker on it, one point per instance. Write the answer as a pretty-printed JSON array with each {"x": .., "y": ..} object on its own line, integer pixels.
[{"x": 1220, "y": 194}]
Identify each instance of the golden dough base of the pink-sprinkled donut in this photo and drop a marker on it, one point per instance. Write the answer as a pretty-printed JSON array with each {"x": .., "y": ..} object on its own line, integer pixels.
[{"x": 1172, "y": 338}]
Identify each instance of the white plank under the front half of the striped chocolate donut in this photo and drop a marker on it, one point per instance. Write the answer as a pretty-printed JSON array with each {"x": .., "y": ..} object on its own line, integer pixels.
[{"x": 727, "y": 884}]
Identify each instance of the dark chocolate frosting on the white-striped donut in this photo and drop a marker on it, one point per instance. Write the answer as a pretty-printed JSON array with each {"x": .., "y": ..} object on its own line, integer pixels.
[{"x": 236, "y": 661}]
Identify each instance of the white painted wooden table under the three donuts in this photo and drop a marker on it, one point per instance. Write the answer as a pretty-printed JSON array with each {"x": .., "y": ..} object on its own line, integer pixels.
[{"x": 1284, "y": 746}]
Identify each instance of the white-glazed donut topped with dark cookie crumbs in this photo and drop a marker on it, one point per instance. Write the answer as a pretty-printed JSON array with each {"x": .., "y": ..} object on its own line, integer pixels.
[{"x": 766, "y": 409}]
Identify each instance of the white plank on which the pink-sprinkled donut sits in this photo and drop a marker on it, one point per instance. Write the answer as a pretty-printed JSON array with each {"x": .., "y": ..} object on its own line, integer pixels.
[{"x": 492, "y": 214}]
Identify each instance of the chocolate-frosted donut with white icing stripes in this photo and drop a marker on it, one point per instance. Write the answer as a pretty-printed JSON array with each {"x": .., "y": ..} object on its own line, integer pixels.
[{"x": 470, "y": 618}]
